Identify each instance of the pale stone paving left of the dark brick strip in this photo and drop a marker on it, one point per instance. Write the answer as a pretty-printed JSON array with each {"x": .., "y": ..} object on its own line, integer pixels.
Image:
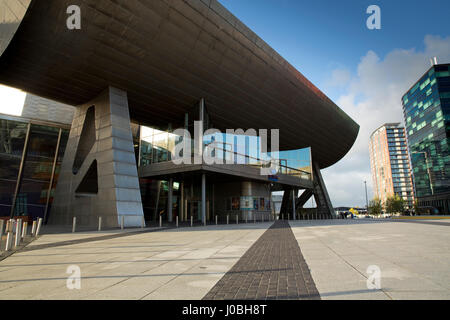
[{"x": 182, "y": 263}]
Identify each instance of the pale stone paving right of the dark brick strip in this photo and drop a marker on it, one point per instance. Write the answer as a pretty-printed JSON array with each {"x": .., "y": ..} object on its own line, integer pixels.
[{"x": 413, "y": 258}]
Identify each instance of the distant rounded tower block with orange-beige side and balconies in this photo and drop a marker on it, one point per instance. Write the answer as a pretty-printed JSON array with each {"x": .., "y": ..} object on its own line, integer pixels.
[{"x": 390, "y": 165}]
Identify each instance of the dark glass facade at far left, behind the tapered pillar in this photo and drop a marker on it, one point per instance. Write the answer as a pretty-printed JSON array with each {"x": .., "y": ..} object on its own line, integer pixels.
[{"x": 30, "y": 159}]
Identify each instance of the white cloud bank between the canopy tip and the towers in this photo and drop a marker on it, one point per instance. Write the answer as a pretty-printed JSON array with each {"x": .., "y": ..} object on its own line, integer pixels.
[{"x": 372, "y": 98}]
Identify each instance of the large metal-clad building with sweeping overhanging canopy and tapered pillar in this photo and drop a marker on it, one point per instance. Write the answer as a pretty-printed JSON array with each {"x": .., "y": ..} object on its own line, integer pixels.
[{"x": 138, "y": 72}]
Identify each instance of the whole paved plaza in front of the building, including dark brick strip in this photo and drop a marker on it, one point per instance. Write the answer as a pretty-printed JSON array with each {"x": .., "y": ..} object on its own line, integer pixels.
[{"x": 326, "y": 259}]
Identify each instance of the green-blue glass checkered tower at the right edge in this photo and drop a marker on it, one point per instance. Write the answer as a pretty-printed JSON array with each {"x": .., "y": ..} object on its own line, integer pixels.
[{"x": 426, "y": 108}]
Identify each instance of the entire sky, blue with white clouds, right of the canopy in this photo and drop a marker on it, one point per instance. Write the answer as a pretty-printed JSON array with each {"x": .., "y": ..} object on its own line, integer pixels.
[{"x": 365, "y": 72}]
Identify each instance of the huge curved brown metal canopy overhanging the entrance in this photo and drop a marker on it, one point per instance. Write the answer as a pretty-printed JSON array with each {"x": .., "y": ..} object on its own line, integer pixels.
[{"x": 168, "y": 55}]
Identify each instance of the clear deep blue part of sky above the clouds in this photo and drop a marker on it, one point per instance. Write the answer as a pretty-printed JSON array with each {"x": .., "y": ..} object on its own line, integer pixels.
[{"x": 322, "y": 35}]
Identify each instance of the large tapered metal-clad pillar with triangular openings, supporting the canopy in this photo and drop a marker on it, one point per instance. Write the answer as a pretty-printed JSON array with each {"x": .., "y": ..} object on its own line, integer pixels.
[{"x": 99, "y": 174}]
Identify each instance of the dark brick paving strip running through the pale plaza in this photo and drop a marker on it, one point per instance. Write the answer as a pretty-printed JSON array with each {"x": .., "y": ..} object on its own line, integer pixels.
[{"x": 273, "y": 268}]
